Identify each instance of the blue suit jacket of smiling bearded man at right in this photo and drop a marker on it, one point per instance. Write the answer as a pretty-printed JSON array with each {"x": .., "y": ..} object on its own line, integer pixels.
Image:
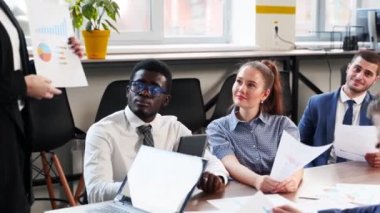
[{"x": 317, "y": 124}]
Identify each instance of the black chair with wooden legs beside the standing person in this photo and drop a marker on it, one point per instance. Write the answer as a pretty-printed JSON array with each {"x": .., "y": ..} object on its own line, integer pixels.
[{"x": 50, "y": 126}]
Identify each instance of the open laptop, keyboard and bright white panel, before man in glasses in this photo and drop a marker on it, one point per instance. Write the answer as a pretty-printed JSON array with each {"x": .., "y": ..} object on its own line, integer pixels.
[{"x": 122, "y": 201}]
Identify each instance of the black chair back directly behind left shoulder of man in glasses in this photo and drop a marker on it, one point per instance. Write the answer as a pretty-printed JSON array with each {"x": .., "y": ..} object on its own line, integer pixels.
[{"x": 114, "y": 99}]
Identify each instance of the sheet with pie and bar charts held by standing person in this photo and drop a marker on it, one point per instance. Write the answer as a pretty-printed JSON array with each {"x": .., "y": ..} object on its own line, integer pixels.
[{"x": 50, "y": 28}]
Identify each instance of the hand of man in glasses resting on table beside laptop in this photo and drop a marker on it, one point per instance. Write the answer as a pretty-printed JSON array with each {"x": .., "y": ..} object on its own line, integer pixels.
[{"x": 210, "y": 183}]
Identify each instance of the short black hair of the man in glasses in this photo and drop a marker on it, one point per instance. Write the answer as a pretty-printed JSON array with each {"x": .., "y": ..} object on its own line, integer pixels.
[{"x": 154, "y": 65}]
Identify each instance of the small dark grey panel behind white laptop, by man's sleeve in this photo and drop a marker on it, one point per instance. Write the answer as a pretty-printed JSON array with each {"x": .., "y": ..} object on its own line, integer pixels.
[{"x": 193, "y": 145}]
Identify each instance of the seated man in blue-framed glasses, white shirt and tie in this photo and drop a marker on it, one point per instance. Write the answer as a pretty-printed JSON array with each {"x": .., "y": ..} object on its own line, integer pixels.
[{"x": 113, "y": 142}]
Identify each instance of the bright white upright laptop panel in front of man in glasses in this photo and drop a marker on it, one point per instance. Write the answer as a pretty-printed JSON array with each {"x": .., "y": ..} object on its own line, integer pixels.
[{"x": 162, "y": 181}]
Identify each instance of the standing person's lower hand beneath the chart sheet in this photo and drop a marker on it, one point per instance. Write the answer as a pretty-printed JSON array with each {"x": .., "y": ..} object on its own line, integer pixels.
[{"x": 40, "y": 87}]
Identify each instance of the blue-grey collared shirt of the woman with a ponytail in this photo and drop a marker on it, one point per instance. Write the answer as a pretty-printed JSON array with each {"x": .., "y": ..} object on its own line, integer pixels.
[{"x": 253, "y": 143}]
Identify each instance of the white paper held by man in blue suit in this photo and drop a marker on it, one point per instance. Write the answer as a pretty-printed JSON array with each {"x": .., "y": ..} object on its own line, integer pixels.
[{"x": 353, "y": 142}]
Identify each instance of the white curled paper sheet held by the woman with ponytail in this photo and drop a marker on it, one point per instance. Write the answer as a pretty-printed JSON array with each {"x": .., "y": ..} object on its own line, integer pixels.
[{"x": 293, "y": 155}]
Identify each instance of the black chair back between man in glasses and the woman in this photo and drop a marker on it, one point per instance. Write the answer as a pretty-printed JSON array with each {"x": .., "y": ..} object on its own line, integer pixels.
[{"x": 187, "y": 103}]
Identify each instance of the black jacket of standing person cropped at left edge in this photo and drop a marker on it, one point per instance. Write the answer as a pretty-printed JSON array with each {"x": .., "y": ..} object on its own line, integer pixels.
[{"x": 15, "y": 183}]
